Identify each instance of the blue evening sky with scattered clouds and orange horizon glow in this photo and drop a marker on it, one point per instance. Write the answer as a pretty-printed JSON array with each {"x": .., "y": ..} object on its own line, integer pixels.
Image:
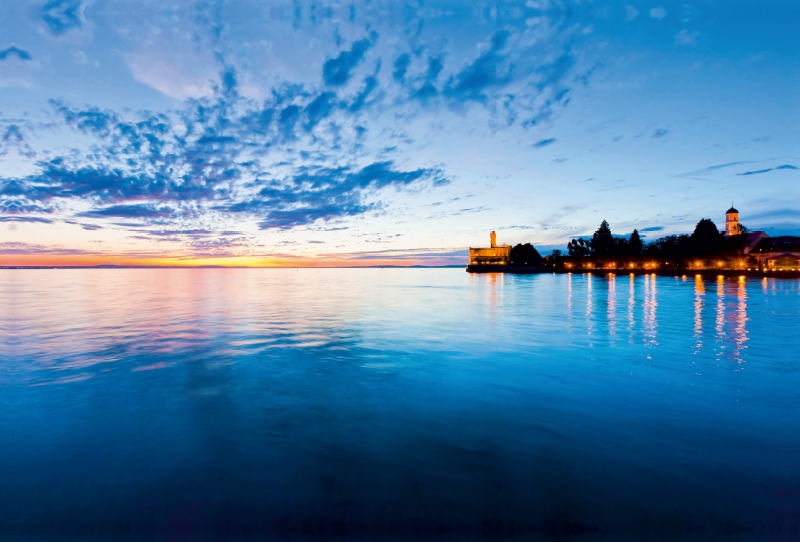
[{"x": 386, "y": 133}]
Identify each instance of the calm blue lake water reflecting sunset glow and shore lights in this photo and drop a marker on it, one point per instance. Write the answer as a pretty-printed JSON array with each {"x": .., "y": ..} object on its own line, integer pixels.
[{"x": 398, "y": 404}]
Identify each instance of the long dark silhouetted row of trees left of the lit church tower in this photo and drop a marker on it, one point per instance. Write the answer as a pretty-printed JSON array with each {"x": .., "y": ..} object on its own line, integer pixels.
[{"x": 705, "y": 241}]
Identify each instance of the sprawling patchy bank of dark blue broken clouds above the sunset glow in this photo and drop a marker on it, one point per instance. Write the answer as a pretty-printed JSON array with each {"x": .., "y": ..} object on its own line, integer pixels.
[{"x": 294, "y": 157}]
